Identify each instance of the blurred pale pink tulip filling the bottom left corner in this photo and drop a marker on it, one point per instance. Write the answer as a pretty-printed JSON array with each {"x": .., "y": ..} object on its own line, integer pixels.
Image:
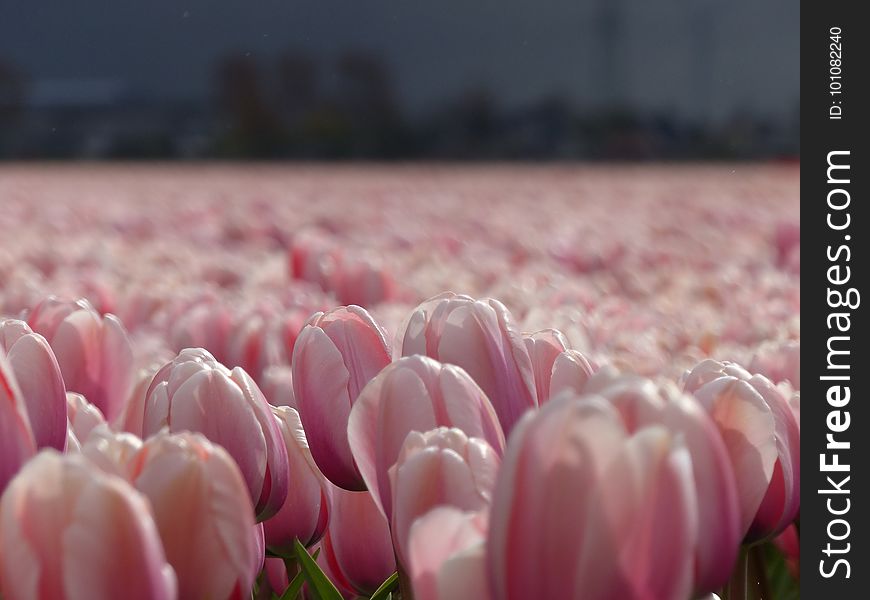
[{"x": 68, "y": 530}]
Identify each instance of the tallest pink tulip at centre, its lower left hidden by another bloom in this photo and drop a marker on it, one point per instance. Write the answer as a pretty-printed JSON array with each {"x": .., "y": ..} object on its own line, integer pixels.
[{"x": 479, "y": 336}]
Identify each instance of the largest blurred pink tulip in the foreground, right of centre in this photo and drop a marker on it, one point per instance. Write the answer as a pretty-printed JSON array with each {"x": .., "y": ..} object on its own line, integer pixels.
[{"x": 584, "y": 509}]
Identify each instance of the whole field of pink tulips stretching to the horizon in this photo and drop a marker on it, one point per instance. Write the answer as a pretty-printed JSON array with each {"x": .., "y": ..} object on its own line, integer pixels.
[{"x": 493, "y": 382}]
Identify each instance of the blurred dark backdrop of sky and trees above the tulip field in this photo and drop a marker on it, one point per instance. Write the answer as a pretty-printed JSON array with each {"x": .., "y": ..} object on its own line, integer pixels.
[{"x": 408, "y": 80}]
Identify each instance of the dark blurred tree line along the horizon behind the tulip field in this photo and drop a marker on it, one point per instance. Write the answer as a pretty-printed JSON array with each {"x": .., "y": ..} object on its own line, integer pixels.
[{"x": 296, "y": 108}]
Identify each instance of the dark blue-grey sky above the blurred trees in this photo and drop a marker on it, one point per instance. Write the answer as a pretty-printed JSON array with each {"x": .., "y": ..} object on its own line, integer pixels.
[{"x": 712, "y": 56}]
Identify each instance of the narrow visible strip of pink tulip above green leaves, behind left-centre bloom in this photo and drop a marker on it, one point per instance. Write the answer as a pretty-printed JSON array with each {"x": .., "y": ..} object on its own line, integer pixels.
[{"x": 305, "y": 513}]
